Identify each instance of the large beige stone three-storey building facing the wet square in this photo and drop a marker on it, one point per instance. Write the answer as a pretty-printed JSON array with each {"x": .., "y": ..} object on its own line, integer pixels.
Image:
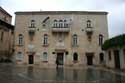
[{"x": 72, "y": 38}]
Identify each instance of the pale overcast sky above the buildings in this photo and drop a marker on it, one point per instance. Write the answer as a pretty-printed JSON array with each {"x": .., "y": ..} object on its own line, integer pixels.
[{"x": 116, "y": 9}]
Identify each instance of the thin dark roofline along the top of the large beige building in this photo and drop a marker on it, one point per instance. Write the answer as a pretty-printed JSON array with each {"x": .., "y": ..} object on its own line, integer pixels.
[{"x": 60, "y": 12}]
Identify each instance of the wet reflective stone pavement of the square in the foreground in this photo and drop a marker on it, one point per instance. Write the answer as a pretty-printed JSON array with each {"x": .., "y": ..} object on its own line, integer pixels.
[{"x": 33, "y": 74}]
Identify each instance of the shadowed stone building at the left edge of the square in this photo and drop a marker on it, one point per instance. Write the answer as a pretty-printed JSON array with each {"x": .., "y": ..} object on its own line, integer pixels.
[{"x": 6, "y": 35}]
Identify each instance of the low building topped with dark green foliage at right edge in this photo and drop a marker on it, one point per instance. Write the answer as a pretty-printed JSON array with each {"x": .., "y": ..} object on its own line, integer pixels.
[{"x": 115, "y": 52}]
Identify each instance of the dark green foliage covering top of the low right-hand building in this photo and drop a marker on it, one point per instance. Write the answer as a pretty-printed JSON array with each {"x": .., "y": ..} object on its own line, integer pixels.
[{"x": 114, "y": 42}]
